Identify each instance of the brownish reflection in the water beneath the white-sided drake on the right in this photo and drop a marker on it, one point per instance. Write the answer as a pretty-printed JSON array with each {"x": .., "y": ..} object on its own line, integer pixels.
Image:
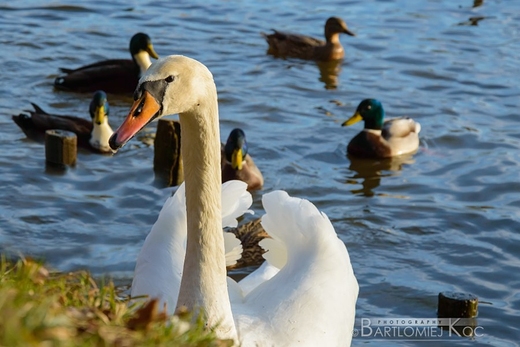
[{"x": 370, "y": 171}]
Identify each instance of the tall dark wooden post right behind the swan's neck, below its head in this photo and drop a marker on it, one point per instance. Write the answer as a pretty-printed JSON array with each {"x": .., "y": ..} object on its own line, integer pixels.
[{"x": 167, "y": 160}]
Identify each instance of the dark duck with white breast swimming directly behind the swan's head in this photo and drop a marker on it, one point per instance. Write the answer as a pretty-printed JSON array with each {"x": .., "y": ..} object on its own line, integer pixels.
[{"x": 114, "y": 75}]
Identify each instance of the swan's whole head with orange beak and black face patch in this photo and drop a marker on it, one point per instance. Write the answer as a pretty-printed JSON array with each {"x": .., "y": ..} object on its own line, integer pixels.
[{"x": 174, "y": 84}]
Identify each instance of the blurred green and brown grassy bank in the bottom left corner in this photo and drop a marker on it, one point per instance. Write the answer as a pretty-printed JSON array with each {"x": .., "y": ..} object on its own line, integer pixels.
[{"x": 39, "y": 307}]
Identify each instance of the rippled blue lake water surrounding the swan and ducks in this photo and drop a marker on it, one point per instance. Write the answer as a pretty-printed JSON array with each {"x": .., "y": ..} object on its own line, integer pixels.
[{"x": 444, "y": 219}]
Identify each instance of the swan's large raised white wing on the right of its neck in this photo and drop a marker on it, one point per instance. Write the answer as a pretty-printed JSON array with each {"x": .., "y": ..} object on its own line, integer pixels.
[{"x": 312, "y": 298}]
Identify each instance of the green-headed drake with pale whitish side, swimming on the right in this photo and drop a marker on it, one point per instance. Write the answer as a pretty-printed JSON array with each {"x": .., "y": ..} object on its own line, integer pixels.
[{"x": 382, "y": 139}]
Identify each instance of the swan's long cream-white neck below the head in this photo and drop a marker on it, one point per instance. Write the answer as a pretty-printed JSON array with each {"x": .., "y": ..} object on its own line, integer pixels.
[{"x": 203, "y": 285}]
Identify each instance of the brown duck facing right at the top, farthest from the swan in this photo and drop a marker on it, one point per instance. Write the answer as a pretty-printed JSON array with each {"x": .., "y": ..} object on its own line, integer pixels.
[{"x": 305, "y": 47}]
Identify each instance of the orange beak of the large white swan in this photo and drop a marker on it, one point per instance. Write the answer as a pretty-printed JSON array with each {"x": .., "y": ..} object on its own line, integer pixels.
[{"x": 143, "y": 111}]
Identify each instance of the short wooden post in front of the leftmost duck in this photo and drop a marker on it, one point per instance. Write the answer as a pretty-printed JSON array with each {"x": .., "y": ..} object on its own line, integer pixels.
[{"x": 60, "y": 147}]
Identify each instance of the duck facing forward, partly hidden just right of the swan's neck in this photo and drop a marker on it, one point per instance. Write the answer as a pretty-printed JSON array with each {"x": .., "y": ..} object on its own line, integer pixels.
[{"x": 237, "y": 164}]
